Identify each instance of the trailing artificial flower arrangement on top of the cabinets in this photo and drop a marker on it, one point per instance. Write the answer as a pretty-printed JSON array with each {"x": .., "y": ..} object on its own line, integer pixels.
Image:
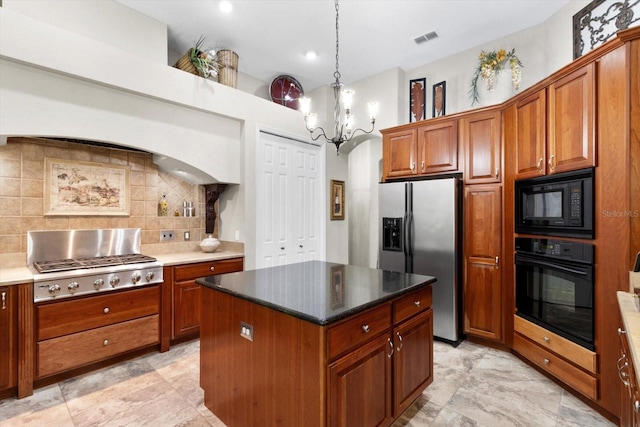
[{"x": 490, "y": 64}]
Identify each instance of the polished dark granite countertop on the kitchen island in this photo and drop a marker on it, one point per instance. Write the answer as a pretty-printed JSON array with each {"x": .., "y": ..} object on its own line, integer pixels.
[{"x": 316, "y": 291}]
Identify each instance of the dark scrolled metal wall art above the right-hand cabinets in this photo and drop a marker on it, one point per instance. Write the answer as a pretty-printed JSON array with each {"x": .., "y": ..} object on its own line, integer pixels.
[{"x": 600, "y": 20}]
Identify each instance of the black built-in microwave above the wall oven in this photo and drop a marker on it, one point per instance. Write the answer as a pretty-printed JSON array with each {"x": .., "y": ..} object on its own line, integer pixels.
[{"x": 556, "y": 205}]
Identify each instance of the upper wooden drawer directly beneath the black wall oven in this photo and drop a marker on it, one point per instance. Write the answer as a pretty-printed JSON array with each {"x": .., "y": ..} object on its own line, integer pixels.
[{"x": 565, "y": 348}]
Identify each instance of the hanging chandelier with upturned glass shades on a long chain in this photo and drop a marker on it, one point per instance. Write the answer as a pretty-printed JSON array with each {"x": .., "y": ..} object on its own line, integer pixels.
[{"x": 342, "y": 125}]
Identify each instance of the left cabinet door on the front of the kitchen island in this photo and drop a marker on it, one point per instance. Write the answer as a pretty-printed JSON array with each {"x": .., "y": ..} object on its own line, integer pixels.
[{"x": 360, "y": 386}]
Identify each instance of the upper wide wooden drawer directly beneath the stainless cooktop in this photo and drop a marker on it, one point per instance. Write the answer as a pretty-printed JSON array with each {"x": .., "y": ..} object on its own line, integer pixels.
[{"x": 68, "y": 317}]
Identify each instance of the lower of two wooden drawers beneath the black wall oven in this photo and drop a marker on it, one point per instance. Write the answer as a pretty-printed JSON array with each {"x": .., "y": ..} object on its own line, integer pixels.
[{"x": 564, "y": 371}]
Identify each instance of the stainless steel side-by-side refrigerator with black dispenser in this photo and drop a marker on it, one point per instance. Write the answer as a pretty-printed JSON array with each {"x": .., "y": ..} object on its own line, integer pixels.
[{"x": 420, "y": 224}]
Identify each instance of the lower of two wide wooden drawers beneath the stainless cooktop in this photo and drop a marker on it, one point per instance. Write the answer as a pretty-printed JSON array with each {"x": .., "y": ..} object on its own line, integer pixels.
[{"x": 76, "y": 350}]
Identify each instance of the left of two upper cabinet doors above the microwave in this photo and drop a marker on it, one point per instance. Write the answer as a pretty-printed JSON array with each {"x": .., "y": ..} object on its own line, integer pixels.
[{"x": 530, "y": 136}]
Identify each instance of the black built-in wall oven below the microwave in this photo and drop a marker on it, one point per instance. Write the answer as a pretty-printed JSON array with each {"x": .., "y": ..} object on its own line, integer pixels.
[{"x": 555, "y": 287}]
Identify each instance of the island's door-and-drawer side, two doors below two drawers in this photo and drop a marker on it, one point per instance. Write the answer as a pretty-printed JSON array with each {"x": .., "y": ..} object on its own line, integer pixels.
[{"x": 381, "y": 377}]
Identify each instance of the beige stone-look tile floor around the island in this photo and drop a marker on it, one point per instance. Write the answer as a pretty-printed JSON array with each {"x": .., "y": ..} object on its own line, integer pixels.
[{"x": 473, "y": 386}]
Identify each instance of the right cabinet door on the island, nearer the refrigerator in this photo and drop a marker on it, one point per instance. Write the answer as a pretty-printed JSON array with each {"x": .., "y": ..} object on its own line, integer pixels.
[{"x": 413, "y": 362}]
